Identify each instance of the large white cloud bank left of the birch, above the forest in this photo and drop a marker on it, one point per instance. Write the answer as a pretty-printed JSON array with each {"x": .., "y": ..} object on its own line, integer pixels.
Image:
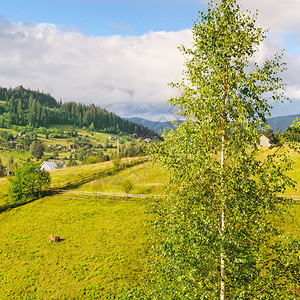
[{"x": 108, "y": 71}]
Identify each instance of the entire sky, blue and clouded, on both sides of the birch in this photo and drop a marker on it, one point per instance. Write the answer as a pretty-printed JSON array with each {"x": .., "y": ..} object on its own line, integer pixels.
[{"x": 121, "y": 55}]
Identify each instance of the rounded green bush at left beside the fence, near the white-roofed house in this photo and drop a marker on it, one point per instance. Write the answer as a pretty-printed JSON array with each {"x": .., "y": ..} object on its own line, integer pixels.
[{"x": 28, "y": 183}]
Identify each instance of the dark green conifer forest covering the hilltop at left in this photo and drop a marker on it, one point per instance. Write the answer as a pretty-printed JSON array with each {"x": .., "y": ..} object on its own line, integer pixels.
[{"x": 20, "y": 106}]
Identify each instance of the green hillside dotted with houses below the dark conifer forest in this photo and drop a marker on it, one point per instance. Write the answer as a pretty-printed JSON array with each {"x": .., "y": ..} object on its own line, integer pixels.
[{"x": 61, "y": 142}]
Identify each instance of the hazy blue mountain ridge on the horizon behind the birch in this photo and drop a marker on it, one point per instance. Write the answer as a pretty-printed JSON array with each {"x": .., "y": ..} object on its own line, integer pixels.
[{"x": 275, "y": 123}]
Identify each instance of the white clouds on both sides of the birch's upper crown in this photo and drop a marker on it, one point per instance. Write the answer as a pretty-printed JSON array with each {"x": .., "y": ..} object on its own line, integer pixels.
[{"x": 127, "y": 75}]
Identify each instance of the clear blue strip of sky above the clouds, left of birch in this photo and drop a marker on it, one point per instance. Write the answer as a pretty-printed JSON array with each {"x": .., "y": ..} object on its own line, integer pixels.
[{"x": 100, "y": 17}]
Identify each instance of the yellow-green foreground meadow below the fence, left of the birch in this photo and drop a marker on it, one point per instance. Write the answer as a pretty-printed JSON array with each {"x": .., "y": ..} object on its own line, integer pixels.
[{"x": 103, "y": 244}]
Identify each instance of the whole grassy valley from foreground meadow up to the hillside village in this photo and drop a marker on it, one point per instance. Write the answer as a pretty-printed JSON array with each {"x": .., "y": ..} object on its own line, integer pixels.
[{"x": 98, "y": 205}]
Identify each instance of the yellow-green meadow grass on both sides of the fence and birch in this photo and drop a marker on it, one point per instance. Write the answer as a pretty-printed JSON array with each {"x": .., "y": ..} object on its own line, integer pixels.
[{"x": 104, "y": 240}]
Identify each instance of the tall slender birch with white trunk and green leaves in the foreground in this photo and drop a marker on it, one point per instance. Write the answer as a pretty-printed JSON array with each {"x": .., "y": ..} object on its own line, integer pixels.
[{"x": 214, "y": 236}]
